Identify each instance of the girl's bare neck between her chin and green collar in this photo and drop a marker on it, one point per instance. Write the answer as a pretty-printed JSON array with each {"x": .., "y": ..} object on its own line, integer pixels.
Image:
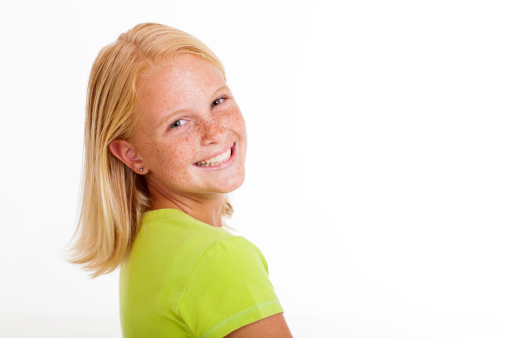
[{"x": 206, "y": 207}]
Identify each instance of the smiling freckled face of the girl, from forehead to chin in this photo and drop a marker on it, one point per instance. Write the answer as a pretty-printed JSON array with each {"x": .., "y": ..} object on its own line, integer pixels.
[{"x": 191, "y": 135}]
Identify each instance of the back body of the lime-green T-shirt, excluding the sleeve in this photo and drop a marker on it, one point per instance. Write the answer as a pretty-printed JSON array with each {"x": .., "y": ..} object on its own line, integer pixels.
[{"x": 158, "y": 268}]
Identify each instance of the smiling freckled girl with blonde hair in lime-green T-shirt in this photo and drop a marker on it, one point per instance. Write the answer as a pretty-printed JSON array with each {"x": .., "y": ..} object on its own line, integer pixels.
[{"x": 165, "y": 142}]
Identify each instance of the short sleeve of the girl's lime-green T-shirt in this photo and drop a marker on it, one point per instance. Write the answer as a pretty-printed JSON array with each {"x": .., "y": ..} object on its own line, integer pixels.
[{"x": 228, "y": 288}]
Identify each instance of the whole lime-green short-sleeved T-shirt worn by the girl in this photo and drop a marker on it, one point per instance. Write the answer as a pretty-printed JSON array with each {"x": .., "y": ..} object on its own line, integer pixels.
[{"x": 185, "y": 278}]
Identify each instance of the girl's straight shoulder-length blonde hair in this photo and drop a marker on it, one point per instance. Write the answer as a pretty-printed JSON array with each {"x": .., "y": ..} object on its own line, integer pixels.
[{"x": 113, "y": 197}]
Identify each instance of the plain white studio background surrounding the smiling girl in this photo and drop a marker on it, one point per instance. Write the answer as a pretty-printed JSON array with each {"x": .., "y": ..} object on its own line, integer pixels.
[{"x": 376, "y": 174}]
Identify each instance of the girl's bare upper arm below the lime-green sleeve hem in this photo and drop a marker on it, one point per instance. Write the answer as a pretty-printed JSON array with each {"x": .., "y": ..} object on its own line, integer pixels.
[{"x": 270, "y": 327}]
